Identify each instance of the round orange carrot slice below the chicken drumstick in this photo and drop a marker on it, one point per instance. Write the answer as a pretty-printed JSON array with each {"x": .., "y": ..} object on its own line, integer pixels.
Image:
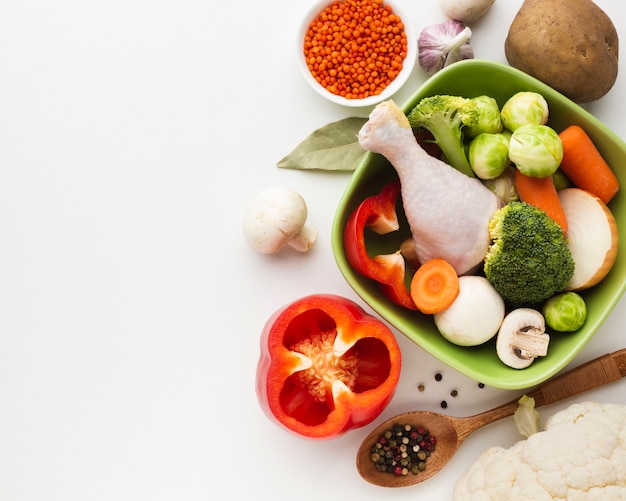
[{"x": 434, "y": 286}]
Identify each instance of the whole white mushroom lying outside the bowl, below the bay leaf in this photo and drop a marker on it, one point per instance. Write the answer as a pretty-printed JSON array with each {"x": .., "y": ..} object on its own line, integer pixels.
[{"x": 275, "y": 218}]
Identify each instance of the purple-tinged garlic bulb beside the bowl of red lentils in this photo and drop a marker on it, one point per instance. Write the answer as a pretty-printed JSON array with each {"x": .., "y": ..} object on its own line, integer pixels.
[{"x": 442, "y": 44}]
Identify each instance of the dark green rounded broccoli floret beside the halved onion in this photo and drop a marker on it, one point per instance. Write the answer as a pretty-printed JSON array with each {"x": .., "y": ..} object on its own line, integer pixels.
[{"x": 528, "y": 260}]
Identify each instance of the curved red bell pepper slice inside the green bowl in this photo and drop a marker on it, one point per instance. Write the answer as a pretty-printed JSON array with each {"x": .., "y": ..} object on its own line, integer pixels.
[{"x": 378, "y": 212}]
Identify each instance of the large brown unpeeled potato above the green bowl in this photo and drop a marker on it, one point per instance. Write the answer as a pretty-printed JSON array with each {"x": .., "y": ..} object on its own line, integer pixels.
[{"x": 571, "y": 45}]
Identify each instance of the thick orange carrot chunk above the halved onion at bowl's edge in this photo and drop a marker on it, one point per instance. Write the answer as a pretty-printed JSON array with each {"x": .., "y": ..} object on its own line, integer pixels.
[{"x": 585, "y": 166}]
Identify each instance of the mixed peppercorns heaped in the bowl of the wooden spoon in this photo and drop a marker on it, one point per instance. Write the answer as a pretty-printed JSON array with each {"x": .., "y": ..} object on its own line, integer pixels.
[{"x": 403, "y": 449}]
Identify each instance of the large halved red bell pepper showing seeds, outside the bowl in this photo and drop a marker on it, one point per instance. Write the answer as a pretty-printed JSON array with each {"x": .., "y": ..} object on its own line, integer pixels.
[{"x": 326, "y": 366}]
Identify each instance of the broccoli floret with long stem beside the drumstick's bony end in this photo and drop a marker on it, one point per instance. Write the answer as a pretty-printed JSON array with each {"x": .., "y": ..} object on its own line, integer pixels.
[{"x": 445, "y": 117}]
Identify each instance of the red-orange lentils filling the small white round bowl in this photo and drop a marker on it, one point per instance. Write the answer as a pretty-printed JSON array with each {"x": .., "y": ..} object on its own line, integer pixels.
[{"x": 355, "y": 48}]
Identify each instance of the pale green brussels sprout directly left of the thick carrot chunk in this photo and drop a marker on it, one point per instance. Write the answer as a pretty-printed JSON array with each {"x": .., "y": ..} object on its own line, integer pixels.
[{"x": 536, "y": 150}]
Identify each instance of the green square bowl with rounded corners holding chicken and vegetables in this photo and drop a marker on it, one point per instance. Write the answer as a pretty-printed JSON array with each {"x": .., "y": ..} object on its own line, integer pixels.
[{"x": 472, "y": 78}]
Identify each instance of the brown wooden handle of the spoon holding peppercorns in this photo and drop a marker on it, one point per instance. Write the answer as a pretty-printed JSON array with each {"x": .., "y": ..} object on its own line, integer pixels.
[{"x": 597, "y": 372}]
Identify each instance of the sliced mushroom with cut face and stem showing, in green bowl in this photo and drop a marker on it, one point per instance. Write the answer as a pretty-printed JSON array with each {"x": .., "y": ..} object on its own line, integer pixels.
[{"x": 522, "y": 338}]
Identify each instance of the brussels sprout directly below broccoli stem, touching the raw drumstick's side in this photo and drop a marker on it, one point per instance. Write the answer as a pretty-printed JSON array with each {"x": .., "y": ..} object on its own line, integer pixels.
[{"x": 488, "y": 155}]
